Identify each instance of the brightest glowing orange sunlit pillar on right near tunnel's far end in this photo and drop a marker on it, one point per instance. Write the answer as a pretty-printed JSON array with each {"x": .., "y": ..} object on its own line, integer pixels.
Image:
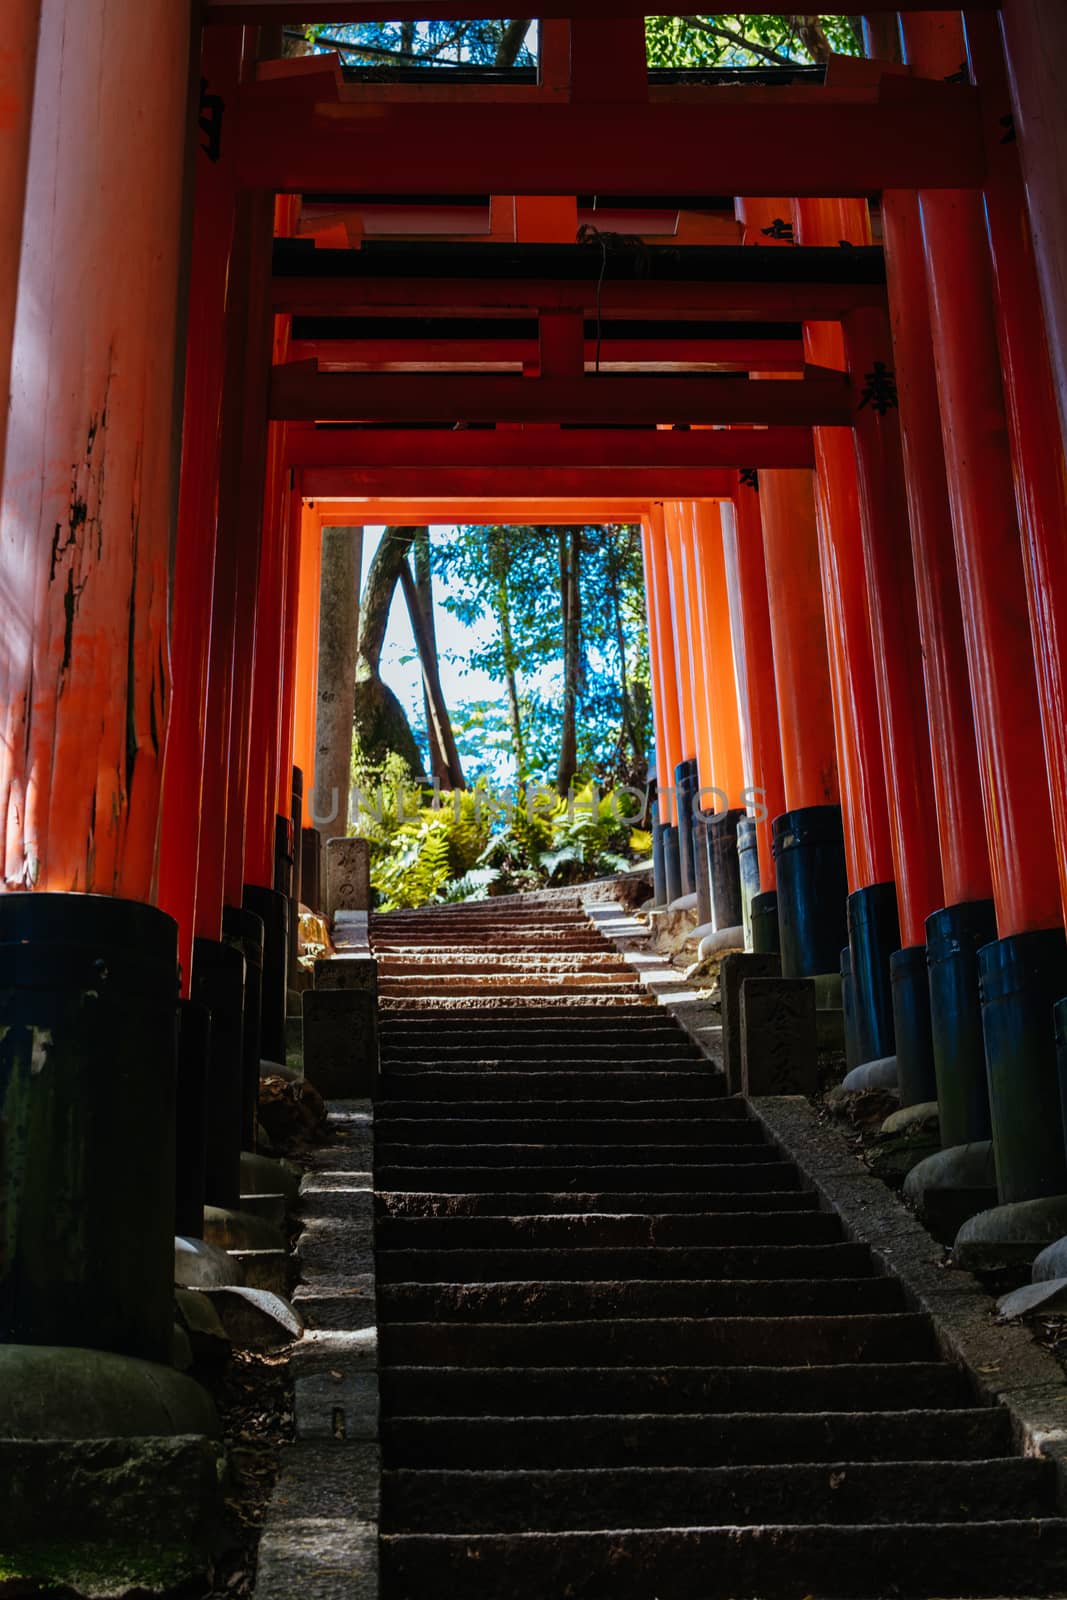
[{"x": 727, "y": 770}]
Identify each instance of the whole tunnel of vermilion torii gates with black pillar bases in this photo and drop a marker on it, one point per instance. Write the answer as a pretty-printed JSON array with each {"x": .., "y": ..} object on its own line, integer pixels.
[{"x": 812, "y": 337}]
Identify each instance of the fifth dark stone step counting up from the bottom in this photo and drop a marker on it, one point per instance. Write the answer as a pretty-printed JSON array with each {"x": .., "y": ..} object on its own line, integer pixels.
[{"x": 671, "y": 1340}]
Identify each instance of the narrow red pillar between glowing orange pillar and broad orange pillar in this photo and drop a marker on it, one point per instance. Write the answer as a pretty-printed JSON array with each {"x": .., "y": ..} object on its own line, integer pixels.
[{"x": 746, "y": 534}]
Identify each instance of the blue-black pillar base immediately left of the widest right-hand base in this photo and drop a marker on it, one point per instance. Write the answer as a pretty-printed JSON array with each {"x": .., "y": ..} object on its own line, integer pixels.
[{"x": 954, "y": 937}]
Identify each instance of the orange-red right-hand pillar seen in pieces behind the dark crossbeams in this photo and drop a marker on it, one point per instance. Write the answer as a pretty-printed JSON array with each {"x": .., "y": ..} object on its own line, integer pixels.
[{"x": 860, "y": 756}]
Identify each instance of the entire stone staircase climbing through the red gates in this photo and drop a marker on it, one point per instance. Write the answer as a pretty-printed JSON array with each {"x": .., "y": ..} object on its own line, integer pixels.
[{"x": 625, "y": 1354}]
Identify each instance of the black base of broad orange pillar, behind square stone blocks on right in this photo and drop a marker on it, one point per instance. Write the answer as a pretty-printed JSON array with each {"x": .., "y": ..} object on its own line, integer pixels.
[{"x": 812, "y": 890}]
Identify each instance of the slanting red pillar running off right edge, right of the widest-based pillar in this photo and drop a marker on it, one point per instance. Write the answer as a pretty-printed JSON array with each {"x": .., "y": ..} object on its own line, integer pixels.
[{"x": 1033, "y": 420}]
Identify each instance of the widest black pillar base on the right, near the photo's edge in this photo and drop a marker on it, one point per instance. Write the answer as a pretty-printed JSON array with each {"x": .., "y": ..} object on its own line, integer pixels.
[{"x": 1021, "y": 982}]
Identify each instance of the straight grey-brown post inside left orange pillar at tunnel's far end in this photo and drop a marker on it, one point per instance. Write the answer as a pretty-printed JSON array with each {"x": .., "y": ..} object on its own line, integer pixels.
[{"x": 342, "y": 559}]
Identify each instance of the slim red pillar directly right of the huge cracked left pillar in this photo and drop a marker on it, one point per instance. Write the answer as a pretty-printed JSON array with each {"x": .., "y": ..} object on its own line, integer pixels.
[{"x": 215, "y": 201}]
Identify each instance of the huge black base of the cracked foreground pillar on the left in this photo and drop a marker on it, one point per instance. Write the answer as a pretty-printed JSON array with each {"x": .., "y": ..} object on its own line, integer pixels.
[{"x": 89, "y": 1060}]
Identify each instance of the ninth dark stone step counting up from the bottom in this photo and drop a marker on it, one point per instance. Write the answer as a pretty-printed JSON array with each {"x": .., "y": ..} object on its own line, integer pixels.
[{"x": 401, "y": 1204}]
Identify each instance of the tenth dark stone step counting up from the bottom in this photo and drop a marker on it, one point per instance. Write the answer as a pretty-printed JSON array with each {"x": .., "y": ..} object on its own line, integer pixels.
[{"x": 625, "y": 1175}]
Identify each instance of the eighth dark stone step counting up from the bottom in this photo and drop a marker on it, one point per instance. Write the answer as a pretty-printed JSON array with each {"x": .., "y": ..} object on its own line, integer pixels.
[{"x": 610, "y": 1231}]
